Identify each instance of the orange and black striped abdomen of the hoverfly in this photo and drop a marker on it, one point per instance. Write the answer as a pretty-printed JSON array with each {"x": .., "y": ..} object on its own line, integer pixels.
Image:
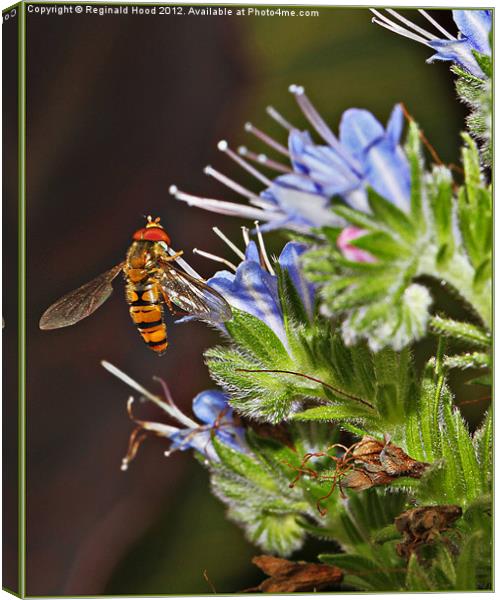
[{"x": 147, "y": 313}]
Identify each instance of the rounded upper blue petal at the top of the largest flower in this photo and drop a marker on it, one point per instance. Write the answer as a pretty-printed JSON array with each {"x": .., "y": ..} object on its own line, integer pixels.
[{"x": 359, "y": 129}]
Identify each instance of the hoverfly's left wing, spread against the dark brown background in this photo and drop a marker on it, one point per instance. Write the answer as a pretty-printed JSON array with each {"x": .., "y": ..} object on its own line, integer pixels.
[{"x": 80, "y": 303}]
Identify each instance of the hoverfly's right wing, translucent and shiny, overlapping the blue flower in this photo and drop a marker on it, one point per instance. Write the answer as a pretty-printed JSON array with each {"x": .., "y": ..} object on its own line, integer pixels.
[{"x": 193, "y": 295}]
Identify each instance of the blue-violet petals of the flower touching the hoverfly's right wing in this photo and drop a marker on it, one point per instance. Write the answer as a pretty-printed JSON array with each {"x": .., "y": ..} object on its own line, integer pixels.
[{"x": 254, "y": 290}]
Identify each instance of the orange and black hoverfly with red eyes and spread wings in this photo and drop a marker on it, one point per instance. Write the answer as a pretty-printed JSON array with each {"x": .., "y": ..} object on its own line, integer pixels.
[{"x": 152, "y": 280}]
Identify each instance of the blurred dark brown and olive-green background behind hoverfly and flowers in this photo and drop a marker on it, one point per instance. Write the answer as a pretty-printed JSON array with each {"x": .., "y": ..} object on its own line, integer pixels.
[{"x": 120, "y": 107}]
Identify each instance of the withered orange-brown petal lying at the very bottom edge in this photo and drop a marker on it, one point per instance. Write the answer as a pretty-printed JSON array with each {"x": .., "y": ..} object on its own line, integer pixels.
[{"x": 287, "y": 576}]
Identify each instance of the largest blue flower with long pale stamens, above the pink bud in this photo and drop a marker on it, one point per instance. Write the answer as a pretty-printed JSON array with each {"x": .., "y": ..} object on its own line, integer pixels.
[{"x": 299, "y": 197}]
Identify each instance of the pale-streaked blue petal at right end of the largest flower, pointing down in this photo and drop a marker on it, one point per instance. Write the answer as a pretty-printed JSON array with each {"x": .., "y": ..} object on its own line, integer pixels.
[{"x": 388, "y": 173}]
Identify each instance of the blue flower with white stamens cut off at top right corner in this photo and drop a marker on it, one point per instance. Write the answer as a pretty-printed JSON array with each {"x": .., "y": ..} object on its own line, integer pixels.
[{"x": 474, "y": 35}]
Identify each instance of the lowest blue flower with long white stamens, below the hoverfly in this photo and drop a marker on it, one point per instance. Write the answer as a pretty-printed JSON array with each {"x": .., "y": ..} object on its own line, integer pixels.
[{"x": 212, "y": 409}]
